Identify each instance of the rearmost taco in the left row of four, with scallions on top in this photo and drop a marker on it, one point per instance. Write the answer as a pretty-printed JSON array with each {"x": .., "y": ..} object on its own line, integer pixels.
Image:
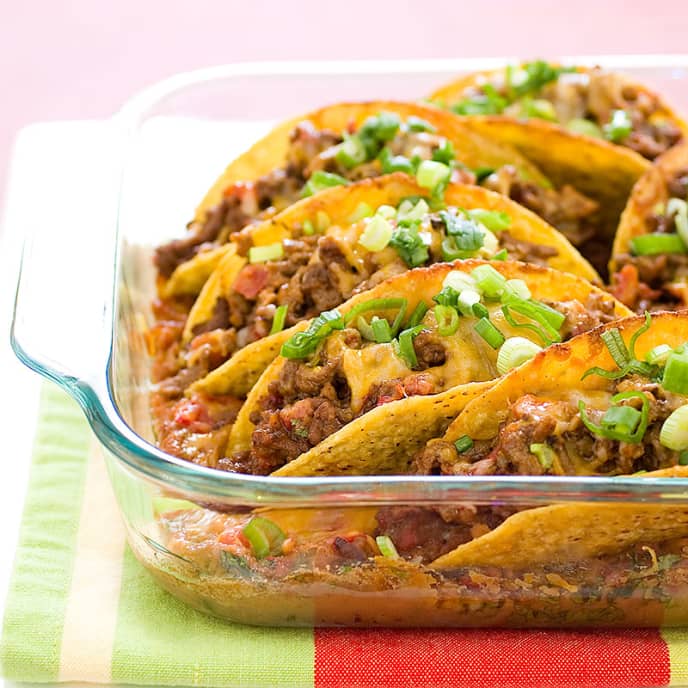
[{"x": 348, "y": 142}]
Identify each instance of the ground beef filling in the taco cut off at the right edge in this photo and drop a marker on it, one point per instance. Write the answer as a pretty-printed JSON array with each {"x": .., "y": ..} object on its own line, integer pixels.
[{"x": 655, "y": 282}]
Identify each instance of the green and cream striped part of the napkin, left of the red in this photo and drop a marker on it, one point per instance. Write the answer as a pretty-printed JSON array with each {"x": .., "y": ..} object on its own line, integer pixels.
[{"x": 149, "y": 638}]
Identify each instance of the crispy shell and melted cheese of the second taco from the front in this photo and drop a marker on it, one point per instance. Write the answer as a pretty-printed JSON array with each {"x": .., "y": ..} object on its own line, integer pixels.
[{"x": 365, "y": 444}]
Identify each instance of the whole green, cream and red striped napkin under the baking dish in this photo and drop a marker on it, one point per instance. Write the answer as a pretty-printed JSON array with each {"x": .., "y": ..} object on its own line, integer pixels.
[{"x": 80, "y": 608}]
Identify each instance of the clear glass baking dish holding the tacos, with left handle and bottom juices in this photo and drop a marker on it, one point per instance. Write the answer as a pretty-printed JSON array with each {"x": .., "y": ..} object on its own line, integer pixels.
[{"x": 83, "y": 305}]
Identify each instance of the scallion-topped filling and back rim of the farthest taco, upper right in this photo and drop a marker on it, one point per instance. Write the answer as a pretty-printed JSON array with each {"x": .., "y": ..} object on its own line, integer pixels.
[{"x": 587, "y": 101}]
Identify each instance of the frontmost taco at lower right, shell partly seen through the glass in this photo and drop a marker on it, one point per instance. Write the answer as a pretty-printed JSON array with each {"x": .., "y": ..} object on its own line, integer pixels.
[{"x": 611, "y": 402}]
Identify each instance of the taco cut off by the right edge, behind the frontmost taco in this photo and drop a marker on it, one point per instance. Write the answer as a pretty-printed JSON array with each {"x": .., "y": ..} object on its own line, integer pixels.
[{"x": 649, "y": 266}]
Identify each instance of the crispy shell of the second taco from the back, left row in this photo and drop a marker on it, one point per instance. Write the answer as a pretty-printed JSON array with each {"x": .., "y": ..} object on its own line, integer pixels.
[{"x": 339, "y": 204}]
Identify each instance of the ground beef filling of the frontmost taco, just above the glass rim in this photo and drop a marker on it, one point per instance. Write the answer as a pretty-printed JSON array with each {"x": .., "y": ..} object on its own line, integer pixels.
[{"x": 557, "y": 423}]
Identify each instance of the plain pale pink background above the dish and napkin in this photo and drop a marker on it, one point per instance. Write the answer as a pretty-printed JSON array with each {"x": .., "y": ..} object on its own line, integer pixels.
[{"x": 72, "y": 59}]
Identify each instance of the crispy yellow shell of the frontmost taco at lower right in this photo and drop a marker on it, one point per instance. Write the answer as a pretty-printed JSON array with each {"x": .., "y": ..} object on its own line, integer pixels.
[{"x": 571, "y": 531}]
